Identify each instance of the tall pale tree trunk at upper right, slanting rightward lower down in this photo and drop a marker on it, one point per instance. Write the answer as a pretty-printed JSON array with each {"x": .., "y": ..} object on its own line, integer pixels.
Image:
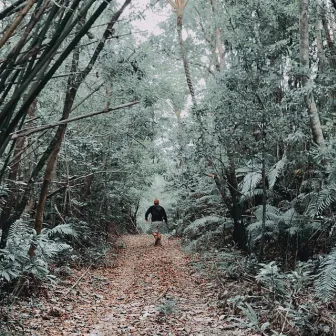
[{"x": 315, "y": 123}]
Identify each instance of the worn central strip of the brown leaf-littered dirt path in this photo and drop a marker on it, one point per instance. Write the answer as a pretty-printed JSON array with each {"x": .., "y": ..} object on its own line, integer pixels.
[{"x": 155, "y": 292}]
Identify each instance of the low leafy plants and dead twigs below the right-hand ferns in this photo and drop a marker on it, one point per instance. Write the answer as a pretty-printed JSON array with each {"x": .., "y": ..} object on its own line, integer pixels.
[{"x": 265, "y": 299}]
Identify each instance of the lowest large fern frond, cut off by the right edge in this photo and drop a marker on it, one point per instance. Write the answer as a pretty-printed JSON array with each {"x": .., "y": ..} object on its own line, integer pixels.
[{"x": 325, "y": 284}]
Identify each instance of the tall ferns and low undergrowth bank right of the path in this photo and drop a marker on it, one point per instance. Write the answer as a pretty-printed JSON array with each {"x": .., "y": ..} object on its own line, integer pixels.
[{"x": 283, "y": 282}]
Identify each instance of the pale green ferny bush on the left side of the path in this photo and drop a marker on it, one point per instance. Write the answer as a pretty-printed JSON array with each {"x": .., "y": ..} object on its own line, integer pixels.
[{"x": 55, "y": 250}]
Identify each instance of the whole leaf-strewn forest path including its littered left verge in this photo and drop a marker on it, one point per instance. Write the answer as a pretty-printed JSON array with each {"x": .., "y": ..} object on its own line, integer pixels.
[{"x": 150, "y": 291}]
